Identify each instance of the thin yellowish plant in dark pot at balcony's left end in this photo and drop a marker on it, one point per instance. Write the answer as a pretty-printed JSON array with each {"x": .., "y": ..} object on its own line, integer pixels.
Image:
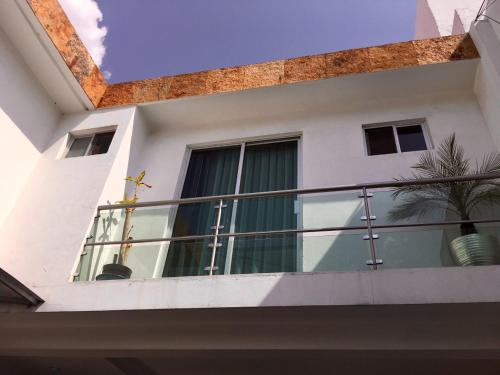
[{"x": 118, "y": 270}]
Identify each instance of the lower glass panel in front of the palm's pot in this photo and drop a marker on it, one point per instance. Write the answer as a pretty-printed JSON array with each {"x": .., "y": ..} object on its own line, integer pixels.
[{"x": 438, "y": 247}]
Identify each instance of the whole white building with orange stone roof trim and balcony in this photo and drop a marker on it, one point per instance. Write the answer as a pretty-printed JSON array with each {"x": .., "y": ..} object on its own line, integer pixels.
[{"x": 323, "y": 292}]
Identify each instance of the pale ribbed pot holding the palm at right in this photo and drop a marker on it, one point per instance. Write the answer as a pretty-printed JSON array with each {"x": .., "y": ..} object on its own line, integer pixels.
[{"x": 475, "y": 250}]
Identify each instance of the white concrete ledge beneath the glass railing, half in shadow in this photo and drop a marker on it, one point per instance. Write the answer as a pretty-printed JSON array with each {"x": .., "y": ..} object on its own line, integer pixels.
[{"x": 384, "y": 287}]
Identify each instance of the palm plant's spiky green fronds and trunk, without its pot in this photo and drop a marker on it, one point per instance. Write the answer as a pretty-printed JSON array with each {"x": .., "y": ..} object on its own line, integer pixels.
[{"x": 461, "y": 198}]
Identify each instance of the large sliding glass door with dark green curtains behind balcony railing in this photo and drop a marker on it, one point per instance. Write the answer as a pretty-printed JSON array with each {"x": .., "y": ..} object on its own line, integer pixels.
[{"x": 245, "y": 168}]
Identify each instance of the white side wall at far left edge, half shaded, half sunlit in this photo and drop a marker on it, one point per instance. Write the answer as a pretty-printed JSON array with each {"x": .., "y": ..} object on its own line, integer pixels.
[{"x": 28, "y": 118}]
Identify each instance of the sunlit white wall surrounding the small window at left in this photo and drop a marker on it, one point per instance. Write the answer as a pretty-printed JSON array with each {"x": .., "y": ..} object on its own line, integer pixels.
[{"x": 46, "y": 229}]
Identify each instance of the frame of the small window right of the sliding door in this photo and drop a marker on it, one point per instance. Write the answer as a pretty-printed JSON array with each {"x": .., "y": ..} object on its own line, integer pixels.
[{"x": 422, "y": 122}]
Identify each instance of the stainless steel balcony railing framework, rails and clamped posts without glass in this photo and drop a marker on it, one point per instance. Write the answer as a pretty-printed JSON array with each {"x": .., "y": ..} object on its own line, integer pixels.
[{"x": 370, "y": 226}]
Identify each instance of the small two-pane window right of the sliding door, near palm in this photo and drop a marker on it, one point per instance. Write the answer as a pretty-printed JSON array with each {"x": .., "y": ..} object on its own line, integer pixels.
[{"x": 394, "y": 137}]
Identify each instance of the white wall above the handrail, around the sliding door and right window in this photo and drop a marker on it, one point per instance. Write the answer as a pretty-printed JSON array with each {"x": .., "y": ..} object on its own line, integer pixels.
[{"x": 333, "y": 151}]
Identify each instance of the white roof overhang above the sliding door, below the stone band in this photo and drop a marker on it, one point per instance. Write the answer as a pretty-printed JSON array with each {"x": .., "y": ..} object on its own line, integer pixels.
[{"x": 303, "y": 100}]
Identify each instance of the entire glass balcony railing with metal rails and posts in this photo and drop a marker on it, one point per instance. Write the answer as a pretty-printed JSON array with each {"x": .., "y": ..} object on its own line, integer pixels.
[{"x": 421, "y": 223}]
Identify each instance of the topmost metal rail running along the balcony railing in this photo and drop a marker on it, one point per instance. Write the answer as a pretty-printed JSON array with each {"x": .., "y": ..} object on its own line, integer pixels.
[{"x": 331, "y": 189}]
